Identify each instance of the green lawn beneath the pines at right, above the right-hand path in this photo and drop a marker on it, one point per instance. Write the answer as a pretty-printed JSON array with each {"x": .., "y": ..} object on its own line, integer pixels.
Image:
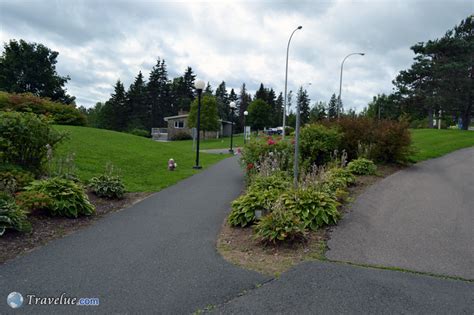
[{"x": 431, "y": 143}]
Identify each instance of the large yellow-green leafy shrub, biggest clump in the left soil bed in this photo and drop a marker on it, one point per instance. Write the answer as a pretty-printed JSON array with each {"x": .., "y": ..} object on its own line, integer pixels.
[{"x": 68, "y": 198}]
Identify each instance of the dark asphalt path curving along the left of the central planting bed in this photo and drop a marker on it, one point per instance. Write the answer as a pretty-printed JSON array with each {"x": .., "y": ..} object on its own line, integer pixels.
[{"x": 158, "y": 256}]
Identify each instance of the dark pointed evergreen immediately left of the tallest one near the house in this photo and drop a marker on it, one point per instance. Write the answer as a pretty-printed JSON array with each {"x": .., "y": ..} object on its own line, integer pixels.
[{"x": 137, "y": 105}]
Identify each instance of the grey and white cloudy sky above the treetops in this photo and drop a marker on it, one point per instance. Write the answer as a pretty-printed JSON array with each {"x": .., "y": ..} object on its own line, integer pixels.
[{"x": 235, "y": 41}]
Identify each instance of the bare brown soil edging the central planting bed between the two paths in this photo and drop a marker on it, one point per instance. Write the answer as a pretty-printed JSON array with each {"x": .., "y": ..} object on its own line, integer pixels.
[{"x": 238, "y": 246}]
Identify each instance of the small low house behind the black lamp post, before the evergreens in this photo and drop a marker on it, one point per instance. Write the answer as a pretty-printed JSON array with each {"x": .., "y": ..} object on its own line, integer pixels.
[{"x": 179, "y": 124}]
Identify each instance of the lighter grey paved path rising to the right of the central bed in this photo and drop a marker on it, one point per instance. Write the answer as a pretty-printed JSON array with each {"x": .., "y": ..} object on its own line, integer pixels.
[{"x": 421, "y": 218}]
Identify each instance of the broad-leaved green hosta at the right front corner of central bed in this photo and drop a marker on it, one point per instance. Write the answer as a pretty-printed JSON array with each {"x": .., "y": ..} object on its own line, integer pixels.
[{"x": 314, "y": 208}]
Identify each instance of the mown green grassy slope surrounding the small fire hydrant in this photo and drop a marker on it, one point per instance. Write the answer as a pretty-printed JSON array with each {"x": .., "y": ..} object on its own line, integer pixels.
[{"x": 143, "y": 162}]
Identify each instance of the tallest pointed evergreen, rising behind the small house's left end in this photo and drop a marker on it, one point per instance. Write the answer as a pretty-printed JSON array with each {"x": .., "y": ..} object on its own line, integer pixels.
[{"x": 159, "y": 92}]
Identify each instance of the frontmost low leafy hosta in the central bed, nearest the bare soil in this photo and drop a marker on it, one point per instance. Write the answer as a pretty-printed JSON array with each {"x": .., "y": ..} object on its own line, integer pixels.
[{"x": 279, "y": 226}]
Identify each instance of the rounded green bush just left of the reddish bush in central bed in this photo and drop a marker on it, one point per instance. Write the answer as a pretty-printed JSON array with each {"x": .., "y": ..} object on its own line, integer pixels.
[{"x": 317, "y": 143}]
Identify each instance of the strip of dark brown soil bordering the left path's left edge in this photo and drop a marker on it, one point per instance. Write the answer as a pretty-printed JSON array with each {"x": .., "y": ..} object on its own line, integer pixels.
[{"x": 46, "y": 228}]
